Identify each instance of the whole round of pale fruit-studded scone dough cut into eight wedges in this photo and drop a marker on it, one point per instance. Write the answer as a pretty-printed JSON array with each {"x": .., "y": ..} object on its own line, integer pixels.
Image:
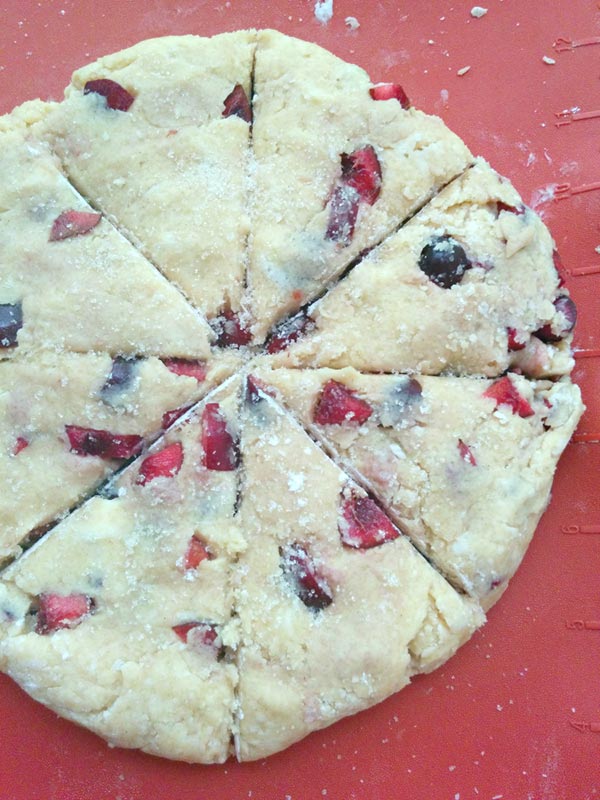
[{"x": 205, "y": 221}]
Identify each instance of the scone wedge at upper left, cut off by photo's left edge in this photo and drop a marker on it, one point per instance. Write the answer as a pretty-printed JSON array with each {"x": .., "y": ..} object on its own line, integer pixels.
[{"x": 68, "y": 279}]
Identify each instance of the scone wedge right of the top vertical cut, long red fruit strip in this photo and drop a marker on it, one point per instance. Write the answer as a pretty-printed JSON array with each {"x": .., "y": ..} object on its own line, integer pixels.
[{"x": 336, "y": 171}]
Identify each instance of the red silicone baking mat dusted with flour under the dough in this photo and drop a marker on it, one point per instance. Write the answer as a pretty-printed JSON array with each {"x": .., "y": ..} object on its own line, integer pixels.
[{"x": 516, "y": 714}]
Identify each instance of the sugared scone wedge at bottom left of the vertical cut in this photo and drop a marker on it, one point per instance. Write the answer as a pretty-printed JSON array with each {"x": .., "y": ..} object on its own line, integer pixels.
[{"x": 117, "y": 618}]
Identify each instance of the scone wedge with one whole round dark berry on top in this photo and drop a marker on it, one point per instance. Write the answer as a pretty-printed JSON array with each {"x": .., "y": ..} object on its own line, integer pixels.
[{"x": 495, "y": 300}]
